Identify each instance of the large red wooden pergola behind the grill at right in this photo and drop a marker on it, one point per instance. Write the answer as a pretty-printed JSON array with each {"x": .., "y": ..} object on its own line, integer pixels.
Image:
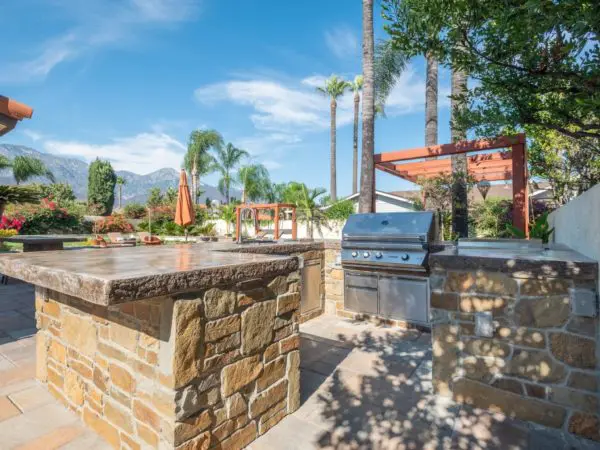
[{"x": 503, "y": 165}]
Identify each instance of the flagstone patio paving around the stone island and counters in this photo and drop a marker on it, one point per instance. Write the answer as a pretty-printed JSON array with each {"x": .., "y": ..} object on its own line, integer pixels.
[{"x": 363, "y": 387}]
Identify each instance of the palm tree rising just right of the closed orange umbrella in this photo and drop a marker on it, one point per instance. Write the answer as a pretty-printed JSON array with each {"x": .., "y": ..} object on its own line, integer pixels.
[{"x": 198, "y": 161}]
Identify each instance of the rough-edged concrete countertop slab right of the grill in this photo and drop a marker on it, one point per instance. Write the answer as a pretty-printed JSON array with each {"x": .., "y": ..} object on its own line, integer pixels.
[{"x": 525, "y": 262}]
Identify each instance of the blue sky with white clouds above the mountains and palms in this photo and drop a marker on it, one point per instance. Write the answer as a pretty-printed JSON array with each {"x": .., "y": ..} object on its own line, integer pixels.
[{"x": 127, "y": 80}]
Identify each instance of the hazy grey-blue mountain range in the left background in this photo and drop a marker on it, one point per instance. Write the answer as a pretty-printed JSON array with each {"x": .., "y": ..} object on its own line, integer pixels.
[{"x": 75, "y": 172}]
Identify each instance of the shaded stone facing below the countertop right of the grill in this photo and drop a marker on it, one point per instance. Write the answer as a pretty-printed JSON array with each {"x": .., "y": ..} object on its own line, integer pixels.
[{"x": 541, "y": 362}]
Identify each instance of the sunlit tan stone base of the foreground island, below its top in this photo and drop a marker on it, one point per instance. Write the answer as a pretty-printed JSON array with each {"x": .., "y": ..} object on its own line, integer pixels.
[{"x": 213, "y": 369}]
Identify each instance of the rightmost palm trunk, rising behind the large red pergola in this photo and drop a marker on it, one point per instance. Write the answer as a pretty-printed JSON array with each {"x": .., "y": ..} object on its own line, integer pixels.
[{"x": 460, "y": 212}]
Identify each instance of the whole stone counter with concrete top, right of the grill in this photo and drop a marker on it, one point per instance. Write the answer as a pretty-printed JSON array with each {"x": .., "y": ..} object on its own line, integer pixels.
[{"x": 515, "y": 330}]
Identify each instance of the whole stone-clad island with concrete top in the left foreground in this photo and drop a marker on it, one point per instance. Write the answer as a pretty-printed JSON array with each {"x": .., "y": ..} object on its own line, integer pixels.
[{"x": 180, "y": 347}]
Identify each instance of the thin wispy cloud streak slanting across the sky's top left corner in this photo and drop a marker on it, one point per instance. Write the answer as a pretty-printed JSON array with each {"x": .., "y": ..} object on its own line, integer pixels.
[{"x": 96, "y": 24}]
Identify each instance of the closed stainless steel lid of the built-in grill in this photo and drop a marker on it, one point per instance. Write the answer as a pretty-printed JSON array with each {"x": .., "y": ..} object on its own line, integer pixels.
[{"x": 401, "y": 226}]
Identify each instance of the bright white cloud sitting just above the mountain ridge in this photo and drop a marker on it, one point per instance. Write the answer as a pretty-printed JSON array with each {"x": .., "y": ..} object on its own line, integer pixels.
[{"x": 142, "y": 153}]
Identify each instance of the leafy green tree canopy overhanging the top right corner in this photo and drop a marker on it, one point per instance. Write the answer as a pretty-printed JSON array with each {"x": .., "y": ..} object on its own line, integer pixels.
[{"x": 534, "y": 63}]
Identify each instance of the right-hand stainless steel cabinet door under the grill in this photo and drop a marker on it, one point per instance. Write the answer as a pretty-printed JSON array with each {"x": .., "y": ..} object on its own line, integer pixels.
[{"x": 404, "y": 298}]
